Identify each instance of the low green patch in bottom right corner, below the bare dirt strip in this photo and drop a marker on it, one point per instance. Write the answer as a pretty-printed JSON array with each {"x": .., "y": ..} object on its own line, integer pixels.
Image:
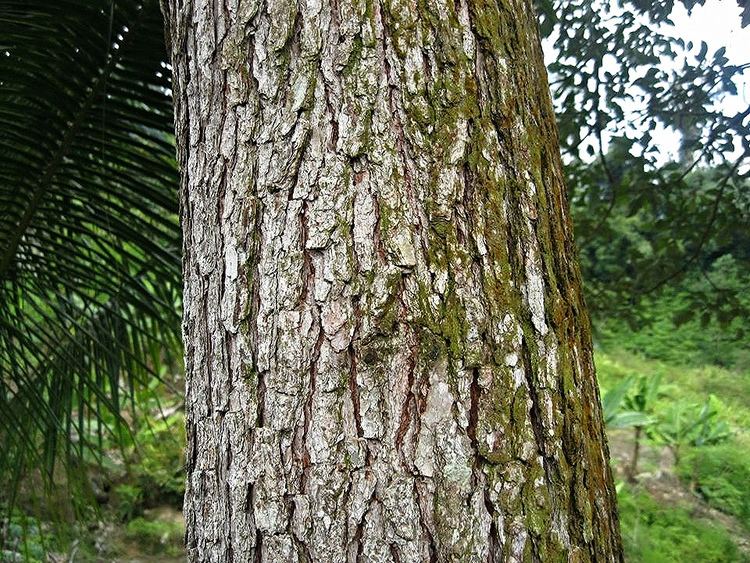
[{"x": 654, "y": 532}]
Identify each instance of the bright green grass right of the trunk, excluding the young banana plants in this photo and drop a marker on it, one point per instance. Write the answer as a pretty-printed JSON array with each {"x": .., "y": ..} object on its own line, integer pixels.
[{"x": 657, "y": 529}]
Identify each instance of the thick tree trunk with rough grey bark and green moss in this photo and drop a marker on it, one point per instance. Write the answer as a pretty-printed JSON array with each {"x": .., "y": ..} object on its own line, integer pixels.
[{"x": 387, "y": 352}]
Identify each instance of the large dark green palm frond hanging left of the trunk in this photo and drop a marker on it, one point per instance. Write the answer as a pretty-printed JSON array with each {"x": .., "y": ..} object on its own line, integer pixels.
[{"x": 89, "y": 238}]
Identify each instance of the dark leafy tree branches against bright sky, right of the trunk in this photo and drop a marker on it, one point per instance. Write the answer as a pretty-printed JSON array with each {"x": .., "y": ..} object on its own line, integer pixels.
[{"x": 643, "y": 225}]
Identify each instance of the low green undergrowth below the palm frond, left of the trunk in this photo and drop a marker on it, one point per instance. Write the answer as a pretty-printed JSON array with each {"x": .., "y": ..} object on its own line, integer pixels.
[{"x": 139, "y": 494}]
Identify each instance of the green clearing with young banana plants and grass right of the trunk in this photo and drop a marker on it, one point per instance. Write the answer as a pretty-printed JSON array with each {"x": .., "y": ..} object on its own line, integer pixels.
[{"x": 690, "y": 417}]
